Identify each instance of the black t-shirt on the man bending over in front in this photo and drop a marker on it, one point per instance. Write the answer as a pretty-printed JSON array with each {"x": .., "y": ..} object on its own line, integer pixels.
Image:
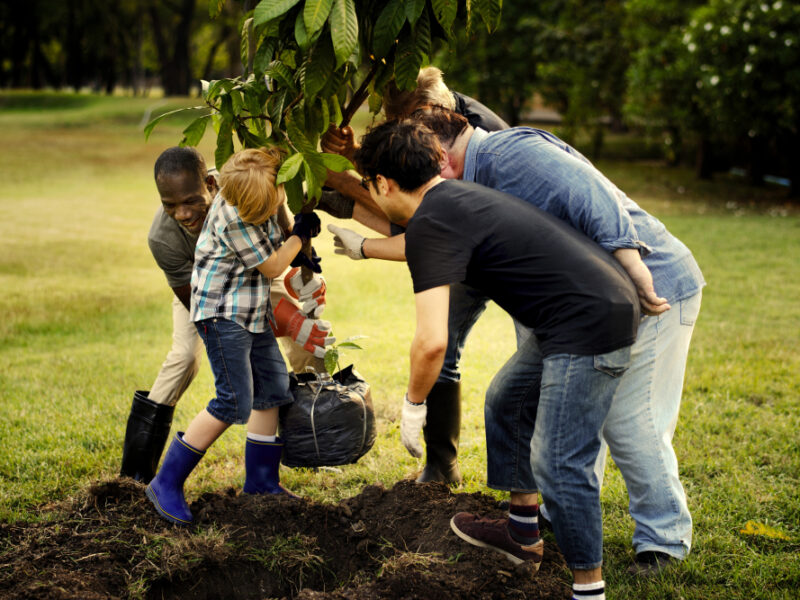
[{"x": 540, "y": 270}]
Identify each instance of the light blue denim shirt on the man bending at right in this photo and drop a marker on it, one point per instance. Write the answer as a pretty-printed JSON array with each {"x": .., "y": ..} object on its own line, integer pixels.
[{"x": 541, "y": 169}]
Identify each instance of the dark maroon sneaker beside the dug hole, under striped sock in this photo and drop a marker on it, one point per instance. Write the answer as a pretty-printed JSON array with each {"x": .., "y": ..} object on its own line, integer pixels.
[{"x": 494, "y": 534}]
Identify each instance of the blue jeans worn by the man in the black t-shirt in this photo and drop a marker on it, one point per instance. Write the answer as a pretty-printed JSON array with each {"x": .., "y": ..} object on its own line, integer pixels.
[{"x": 544, "y": 417}]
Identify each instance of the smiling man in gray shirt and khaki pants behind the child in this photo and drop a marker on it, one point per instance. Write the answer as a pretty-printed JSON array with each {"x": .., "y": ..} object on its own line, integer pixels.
[{"x": 187, "y": 189}]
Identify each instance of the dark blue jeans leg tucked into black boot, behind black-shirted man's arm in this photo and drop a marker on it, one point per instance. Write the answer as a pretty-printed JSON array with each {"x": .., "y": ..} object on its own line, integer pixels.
[{"x": 466, "y": 305}]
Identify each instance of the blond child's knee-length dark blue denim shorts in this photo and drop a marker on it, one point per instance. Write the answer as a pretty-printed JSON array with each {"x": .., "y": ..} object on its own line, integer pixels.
[{"x": 249, "y": 372}]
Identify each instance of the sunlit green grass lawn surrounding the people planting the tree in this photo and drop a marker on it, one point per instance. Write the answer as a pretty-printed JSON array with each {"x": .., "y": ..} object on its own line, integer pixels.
[{"x": 86, "y": 321}]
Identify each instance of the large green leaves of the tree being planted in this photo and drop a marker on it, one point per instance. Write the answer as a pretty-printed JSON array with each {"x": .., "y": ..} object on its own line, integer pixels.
[{"x": 312, "y": 63}]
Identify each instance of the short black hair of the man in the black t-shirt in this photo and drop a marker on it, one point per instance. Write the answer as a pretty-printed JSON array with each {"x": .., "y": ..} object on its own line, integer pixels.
[{"x": 403, "y": 150}]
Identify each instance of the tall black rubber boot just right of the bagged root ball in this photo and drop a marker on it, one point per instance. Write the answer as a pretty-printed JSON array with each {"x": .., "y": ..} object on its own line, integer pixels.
[{"x": 442, "y": 429}]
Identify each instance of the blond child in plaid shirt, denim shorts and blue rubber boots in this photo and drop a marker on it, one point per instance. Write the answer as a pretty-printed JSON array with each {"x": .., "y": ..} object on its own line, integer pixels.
[{"x": 240, "y": 248}]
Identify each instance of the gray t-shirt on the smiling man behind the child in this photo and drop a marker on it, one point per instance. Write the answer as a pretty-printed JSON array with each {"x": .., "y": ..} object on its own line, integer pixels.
[{"x": 173, "y": 247}]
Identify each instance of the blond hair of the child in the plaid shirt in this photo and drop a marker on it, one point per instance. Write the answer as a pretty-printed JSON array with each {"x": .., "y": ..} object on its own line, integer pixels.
[{"x": 248, "y": 182}]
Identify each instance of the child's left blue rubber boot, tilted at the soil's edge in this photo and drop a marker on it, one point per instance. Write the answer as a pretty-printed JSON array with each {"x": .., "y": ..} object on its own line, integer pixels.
[{"x": 166, "y": 489}]
